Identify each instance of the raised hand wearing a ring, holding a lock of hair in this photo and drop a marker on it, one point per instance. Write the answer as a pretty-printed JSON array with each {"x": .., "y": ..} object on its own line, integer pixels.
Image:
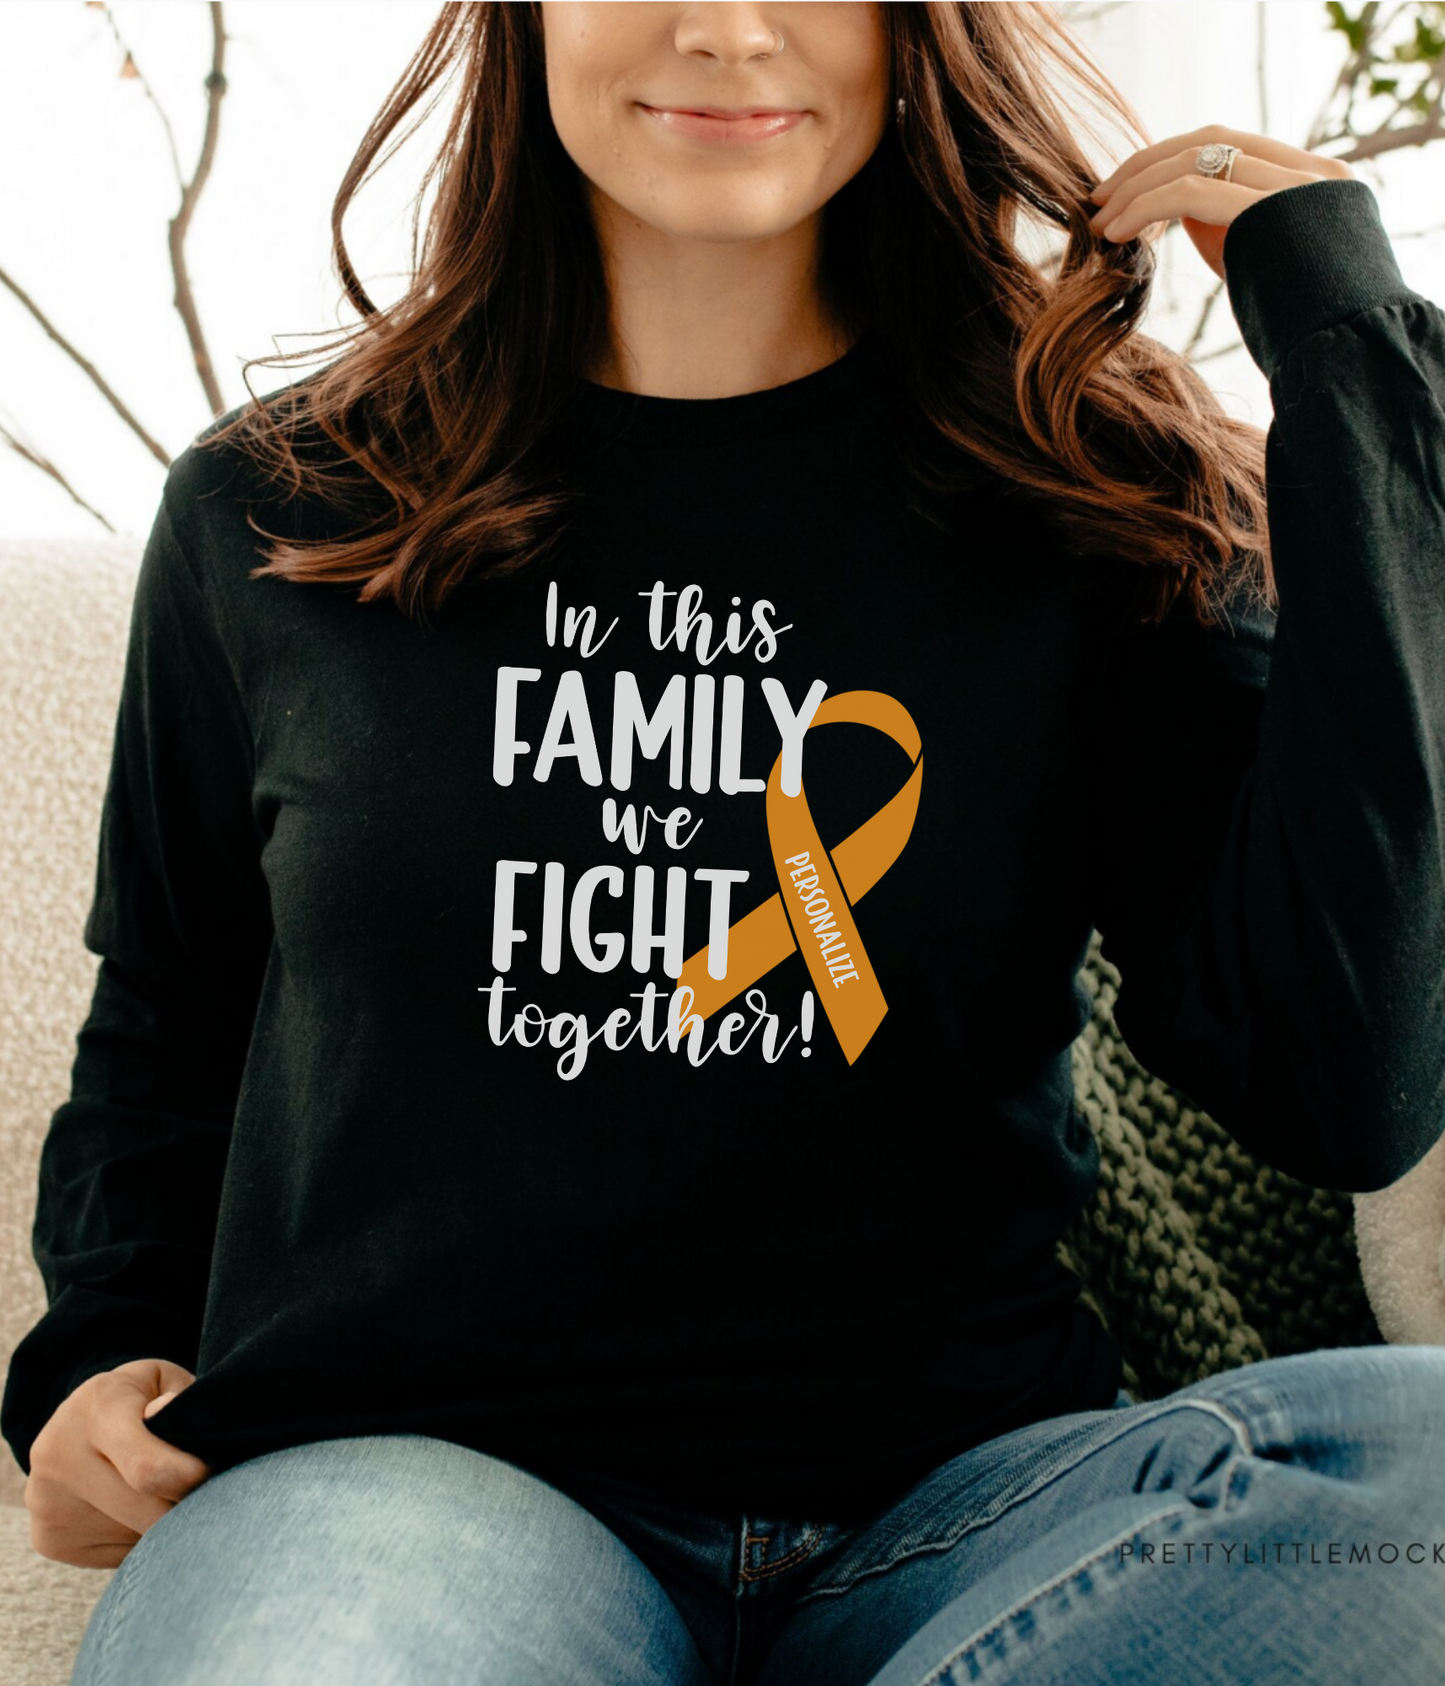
[{"x": 1161, "y": 183}]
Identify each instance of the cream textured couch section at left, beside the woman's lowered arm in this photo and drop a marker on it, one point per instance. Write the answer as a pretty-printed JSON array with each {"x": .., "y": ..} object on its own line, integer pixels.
[{"x": 65, "y": 613}]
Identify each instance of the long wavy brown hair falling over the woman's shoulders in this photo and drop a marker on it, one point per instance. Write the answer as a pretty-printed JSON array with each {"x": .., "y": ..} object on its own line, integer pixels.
[{"x": 439, "y": 409}]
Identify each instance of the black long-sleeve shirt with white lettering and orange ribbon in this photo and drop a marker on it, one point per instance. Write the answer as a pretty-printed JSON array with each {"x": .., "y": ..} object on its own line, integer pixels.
[{"x": 584, "y": 1029}]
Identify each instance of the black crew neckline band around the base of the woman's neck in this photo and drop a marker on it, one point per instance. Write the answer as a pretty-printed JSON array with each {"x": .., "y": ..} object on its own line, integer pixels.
[{"x": 648, "y": 419}]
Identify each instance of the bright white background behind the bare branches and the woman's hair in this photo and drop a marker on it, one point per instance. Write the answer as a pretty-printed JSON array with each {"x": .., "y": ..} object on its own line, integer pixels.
[{"x": 87, "y": 193}]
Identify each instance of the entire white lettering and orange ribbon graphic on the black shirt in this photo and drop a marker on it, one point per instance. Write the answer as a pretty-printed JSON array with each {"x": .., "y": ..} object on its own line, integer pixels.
[{"x": 751, "y": 932}]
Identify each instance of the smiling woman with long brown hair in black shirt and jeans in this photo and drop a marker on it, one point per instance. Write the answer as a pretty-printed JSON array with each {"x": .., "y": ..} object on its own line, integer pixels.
[{"x": 567, "y": 1156}]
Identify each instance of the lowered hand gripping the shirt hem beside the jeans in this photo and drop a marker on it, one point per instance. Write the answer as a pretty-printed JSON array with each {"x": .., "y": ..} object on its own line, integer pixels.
[{"x": 99, "y": 1476}]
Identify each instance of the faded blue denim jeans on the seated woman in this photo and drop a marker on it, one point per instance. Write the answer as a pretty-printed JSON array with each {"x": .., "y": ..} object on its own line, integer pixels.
[{"x": 1284, "y": 1522}]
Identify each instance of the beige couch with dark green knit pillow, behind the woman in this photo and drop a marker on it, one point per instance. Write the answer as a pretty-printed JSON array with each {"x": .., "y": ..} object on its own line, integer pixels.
[{"x": 1198, "y": 1257}]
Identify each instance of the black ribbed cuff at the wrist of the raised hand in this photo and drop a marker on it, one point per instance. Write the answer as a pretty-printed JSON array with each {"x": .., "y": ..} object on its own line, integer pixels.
[{"x": 1304, "y": 259}]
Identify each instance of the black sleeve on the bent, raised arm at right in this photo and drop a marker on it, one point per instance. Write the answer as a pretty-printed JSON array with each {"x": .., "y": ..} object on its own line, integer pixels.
[{"x": 1269, "y": 861}]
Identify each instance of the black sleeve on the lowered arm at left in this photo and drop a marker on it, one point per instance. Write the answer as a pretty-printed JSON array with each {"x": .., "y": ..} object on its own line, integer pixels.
[{"x": 134, "y": 1159}]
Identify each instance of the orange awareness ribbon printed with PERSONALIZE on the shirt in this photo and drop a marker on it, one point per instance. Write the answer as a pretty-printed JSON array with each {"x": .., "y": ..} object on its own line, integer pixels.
[{"x": 814, "y": 908}]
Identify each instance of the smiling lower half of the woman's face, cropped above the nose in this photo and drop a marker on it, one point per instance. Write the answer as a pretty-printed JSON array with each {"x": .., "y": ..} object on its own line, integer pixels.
[{"x": 628, "y": 85}]
